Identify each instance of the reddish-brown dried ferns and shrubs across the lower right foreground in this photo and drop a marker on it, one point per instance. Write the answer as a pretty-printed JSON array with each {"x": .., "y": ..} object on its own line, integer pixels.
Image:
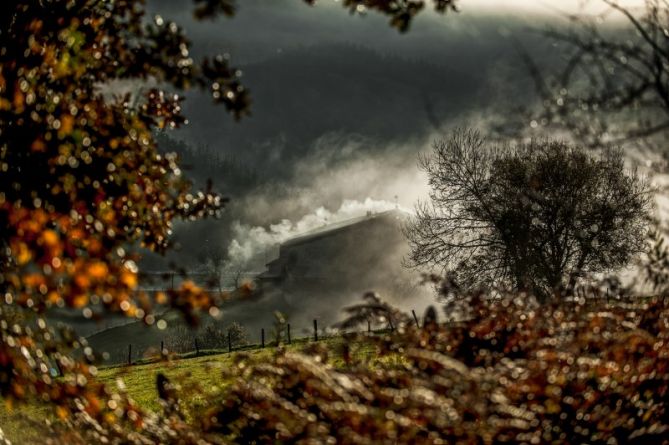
[{"x": 514, "y": 371}]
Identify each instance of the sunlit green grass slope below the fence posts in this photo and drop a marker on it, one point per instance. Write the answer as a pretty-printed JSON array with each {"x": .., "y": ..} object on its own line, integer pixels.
[{"x": 204, "y": 373}]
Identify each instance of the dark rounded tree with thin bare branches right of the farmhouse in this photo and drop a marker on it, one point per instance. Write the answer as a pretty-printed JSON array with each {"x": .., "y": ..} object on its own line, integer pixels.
[{"x": 533, "y": 217}]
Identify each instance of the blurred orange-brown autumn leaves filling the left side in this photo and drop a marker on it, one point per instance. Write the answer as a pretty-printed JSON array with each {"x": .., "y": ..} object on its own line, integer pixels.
[{"x": 82, "y": 182}]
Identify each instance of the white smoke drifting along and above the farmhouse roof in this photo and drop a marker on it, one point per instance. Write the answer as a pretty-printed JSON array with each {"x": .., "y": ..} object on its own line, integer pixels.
[{"x": 342, "y": 178}]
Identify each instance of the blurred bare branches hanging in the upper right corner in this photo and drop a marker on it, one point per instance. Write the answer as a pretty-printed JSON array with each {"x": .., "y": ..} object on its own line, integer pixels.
[{"x": 613, "y": 85}]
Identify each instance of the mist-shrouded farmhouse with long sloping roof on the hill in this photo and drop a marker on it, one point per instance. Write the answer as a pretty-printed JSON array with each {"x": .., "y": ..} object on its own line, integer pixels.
[{"x": 321, "y": 272}]
